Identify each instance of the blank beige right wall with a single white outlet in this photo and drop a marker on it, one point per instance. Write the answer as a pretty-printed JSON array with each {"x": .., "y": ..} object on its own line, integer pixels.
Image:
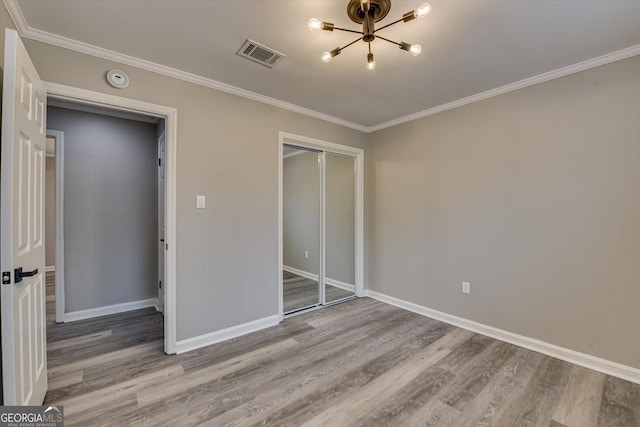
[{"x": 533, "y": 197}]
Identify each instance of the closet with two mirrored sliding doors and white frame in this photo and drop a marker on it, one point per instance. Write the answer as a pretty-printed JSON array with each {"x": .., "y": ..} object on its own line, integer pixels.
[{"x": 320, "y": 223}]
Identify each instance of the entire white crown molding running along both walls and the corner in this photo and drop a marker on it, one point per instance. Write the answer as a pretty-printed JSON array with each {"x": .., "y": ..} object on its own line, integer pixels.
[{"x": 74, "y": 45}]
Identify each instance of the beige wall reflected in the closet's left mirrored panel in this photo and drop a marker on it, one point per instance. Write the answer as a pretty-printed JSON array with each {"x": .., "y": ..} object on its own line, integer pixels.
[{"x": 301, "y": 212}]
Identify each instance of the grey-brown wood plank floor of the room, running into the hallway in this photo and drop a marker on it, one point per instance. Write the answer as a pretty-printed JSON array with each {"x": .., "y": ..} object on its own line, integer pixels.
[{"x": 359, "y": 363}]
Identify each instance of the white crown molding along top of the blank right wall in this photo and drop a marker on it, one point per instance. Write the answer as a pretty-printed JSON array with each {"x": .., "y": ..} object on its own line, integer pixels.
[{"x": 540, "y": 78}]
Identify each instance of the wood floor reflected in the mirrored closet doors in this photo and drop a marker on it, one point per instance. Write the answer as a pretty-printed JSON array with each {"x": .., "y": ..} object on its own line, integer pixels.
[{"x": 300, "y": 292}]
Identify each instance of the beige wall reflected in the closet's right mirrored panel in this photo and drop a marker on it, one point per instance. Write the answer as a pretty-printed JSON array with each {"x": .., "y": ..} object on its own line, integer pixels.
[{"x": 340, "y": 218}]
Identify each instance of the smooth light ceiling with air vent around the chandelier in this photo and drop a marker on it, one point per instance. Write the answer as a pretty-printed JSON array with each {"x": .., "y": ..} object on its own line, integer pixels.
[{"x": 468, "y": 47}]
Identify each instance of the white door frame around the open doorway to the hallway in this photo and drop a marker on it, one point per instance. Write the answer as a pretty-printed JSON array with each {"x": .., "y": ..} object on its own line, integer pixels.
[{"x": 87, "y": 97}]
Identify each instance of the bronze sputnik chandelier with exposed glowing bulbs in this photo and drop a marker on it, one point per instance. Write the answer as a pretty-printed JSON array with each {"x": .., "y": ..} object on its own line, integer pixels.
[{"x": 367, "y": 13}]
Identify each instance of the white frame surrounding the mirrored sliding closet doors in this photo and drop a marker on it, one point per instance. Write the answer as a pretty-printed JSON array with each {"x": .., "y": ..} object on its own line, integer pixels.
[{"x": 330, "y": 147}]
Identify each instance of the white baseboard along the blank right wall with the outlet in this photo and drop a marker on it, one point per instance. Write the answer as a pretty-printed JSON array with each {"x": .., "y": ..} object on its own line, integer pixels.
[{"x": 586, "y": 360}]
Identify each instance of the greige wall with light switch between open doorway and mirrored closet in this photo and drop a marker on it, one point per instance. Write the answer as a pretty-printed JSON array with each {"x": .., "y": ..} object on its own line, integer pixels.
[{"x": 227, "y": 253}]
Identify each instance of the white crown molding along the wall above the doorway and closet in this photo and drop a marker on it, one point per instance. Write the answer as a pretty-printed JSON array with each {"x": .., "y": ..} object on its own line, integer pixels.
[{"x": 77, "y": 46}]
